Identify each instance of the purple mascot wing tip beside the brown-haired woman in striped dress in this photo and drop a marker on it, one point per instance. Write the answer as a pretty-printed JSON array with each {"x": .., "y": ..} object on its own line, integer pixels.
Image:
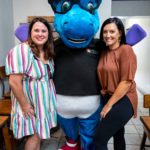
[{"x": 22, "y": 32}]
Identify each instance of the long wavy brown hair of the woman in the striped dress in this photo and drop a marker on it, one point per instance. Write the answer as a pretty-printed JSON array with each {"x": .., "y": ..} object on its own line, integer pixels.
[{"x": 48, "y": 46}]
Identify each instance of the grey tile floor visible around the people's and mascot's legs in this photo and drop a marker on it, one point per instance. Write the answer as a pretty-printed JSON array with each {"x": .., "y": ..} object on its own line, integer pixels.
[{"x": 133, "y": 130}]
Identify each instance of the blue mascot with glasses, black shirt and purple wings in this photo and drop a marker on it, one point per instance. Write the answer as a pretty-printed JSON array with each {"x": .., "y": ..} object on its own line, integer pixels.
[{"x": 75, "y": 77}]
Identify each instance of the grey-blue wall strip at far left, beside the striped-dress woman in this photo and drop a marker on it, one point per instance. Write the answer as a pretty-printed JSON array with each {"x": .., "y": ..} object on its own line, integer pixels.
[{"x": 6, "y": 28}]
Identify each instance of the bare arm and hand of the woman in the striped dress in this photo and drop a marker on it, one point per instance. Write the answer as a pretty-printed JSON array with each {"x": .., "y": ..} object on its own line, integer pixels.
[{"x": 15, "y": 81}]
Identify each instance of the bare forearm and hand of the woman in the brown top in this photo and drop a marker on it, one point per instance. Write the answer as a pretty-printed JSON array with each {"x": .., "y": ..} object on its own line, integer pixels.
[{"x": 120, "y": 91}]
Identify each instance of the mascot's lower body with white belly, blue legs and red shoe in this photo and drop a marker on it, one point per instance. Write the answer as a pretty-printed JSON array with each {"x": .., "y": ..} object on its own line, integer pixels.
[{"x": 78, "y": 117}]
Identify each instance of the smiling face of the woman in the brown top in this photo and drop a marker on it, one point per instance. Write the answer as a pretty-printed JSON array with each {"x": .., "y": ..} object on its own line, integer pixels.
[{"x": 111, "y": 36}]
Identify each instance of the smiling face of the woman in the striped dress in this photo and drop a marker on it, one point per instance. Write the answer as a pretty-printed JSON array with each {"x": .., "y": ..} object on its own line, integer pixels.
[{"x": 39, "y": 34}]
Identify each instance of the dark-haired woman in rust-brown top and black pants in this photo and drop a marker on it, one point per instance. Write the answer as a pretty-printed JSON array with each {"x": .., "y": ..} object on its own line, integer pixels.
[{"x": 116, "y": 71}]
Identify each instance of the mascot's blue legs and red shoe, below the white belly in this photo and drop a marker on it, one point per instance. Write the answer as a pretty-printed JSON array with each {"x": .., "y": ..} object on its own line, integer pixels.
[{"x": 85, "y": 127}]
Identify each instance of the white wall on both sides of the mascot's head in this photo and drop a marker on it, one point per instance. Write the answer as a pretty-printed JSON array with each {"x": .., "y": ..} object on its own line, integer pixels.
[{"x": 23, "y": 9}]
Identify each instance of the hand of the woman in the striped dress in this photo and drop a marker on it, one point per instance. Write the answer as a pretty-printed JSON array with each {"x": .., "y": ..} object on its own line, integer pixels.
[{"x": 28, "y": 110}]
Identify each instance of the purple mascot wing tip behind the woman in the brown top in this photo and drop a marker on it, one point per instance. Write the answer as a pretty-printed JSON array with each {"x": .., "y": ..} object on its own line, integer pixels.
[{"x": 135, "y": 34}]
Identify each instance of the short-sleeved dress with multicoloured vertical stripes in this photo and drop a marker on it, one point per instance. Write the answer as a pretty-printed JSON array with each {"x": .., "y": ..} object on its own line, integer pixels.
[{"x": 39, "y": 90}]
